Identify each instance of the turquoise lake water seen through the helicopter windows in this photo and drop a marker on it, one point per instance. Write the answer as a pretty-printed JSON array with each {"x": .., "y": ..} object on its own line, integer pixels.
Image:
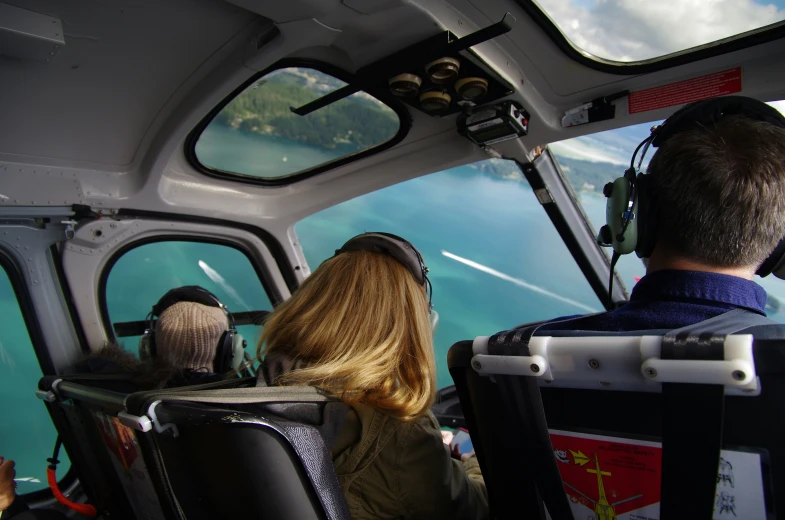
[{"x": 495, "y": 262}]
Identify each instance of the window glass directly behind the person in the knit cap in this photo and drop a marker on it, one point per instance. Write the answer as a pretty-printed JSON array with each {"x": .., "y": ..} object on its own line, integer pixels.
[{"x": 142, "y": 275}]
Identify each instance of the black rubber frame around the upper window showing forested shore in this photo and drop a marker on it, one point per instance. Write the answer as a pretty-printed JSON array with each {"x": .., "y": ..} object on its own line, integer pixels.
[{"x": 383, "y": 96}]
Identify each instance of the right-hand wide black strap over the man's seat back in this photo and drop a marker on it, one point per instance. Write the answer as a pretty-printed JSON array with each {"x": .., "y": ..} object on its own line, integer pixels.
[{"x": 692, "y": 420}]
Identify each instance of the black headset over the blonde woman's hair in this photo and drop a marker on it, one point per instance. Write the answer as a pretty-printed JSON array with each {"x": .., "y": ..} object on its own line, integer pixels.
[{"x": 401, "y": 250}]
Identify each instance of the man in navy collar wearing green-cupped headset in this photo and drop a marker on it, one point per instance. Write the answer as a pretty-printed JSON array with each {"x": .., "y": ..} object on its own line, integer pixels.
[{"x": 708, "y": 215}]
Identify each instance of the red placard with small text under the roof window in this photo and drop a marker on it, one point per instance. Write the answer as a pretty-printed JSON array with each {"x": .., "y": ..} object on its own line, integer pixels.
[{"x": 704, "y": 87}]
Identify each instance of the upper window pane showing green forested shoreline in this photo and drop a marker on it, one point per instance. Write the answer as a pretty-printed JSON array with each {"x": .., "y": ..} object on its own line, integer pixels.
[{"x": 257, "y": 135}]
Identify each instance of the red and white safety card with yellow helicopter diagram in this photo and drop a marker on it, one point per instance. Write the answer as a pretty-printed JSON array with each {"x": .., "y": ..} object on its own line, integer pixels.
[{"x": 612, "y": 478}]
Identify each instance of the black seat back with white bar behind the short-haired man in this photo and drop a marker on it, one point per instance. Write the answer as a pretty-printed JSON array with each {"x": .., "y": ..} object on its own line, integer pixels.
[{"x": 618, "y": 430}]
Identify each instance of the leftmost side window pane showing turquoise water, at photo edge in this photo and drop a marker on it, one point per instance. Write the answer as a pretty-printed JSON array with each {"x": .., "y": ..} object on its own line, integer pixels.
[{"x": 26, "y": 431}]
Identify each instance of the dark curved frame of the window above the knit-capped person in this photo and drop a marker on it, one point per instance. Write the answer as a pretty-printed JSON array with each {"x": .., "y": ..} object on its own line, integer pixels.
[{"x": 106, "y": 271}]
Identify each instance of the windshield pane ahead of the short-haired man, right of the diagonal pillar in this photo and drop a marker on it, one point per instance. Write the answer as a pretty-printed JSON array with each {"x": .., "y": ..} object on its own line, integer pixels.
[{"x": 589, "y": 162}]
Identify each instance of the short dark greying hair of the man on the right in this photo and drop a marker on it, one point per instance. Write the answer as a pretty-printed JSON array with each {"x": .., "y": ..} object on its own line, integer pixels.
[{"x": 721, "y": 192}]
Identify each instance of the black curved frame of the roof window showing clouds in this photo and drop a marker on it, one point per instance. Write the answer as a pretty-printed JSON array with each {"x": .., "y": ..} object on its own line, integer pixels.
[{"x": 709, "y": 50}]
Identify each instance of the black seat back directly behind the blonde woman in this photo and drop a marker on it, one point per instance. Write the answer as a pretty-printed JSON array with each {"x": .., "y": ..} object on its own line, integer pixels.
[{"x": 225, "y": 463}]
